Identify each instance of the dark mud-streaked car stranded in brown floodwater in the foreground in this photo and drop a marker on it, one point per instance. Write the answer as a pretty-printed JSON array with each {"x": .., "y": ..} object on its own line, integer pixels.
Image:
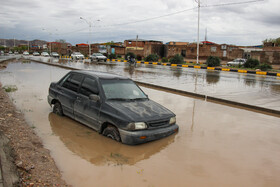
[{"x": 112, "y": 105}]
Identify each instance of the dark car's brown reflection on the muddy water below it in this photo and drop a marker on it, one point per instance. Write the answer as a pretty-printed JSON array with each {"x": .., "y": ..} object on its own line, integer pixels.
[{"x": 98, "y": 149}]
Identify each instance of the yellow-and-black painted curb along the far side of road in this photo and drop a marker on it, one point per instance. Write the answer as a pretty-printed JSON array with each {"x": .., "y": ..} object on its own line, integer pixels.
[{"x": 204, "y": 67}]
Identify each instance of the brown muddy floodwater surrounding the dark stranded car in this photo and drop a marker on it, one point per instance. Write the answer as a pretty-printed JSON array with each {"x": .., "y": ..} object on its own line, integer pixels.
[{"x": 216, "y": 145}]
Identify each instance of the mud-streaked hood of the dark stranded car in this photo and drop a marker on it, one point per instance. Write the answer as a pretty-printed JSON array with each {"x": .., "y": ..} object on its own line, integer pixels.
[{"x": 141, "y": 110}]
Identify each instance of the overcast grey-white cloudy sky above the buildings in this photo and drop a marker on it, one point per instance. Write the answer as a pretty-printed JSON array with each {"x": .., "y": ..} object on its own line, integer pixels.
[{"x": 239, "y": 24}]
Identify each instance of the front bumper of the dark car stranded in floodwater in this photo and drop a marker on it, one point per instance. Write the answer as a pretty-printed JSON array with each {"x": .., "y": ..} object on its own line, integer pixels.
[{"x": 137, "y": 137}]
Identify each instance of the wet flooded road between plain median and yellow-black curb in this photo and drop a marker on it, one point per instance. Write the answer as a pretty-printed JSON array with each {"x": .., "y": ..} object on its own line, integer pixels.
[{"x": 259, "y": 90}]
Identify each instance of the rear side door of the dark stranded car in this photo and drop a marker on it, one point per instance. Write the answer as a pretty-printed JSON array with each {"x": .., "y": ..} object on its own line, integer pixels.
[{"x": 68, "y": 93}]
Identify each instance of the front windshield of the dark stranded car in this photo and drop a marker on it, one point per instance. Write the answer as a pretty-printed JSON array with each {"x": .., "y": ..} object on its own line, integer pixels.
[{"x": 122, "y": 90}]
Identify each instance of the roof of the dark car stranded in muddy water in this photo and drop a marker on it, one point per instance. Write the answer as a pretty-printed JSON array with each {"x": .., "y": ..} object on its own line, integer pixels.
[{"x": 99, "y": 74}]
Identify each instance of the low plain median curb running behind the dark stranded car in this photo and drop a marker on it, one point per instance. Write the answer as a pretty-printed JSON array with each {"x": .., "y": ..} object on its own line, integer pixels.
[{"x": 194, "y": 95}]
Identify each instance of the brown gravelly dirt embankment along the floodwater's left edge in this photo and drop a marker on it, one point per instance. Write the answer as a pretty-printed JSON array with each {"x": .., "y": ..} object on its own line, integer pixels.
[{"x": 32, "y": 163}]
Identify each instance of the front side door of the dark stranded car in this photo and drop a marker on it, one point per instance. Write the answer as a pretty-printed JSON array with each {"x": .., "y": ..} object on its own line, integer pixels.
[{"x": 86, "y": 110}]
